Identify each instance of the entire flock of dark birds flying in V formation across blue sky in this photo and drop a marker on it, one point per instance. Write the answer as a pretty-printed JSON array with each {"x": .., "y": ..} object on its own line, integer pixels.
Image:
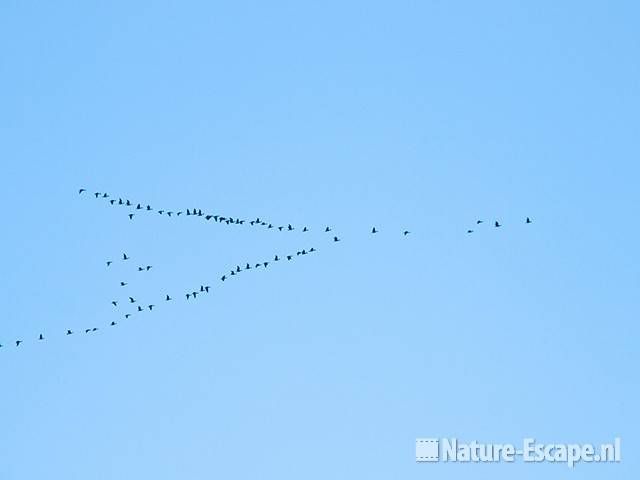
[{"x": 192, "y": 294}]
